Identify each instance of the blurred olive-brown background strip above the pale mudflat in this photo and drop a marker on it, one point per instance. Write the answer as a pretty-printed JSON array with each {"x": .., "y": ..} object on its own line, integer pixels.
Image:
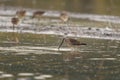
[{"x": 108, "y": 7}]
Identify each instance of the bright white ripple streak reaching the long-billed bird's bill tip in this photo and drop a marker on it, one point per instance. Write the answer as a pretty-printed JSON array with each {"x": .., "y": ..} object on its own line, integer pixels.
[{"x": 25, "y": 50}]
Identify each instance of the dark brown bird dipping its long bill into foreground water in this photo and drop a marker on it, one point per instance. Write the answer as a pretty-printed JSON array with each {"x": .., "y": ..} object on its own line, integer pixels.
[{"x": 71, "y": 42}]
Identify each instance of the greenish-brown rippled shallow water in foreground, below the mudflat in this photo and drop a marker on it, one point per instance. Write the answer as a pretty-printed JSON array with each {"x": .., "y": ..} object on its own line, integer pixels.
[{"x": 99, "y": 59}]
